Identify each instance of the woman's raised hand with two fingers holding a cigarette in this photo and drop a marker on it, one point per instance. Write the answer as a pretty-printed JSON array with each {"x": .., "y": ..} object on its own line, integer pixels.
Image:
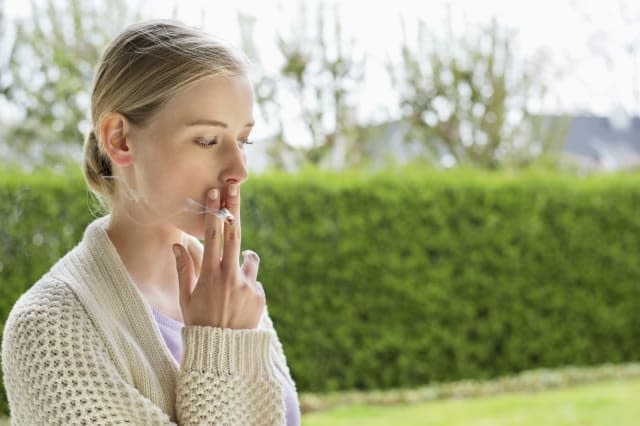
[{"x": 224, "y": 295}]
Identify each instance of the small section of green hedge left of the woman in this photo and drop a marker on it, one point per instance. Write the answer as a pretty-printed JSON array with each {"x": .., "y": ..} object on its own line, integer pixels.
[{"x": 41, "y": 217}]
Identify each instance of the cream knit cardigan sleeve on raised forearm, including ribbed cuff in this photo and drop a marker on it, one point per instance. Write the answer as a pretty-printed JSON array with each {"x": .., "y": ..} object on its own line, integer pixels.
[{"x": 227, "y": 378}]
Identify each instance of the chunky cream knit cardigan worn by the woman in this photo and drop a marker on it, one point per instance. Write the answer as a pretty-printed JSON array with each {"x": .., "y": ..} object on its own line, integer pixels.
[{"x": 81, "y": 347}]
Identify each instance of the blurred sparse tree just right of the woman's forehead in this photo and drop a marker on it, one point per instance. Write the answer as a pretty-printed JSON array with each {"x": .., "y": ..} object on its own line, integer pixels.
[{"x": 320, "y": 73}]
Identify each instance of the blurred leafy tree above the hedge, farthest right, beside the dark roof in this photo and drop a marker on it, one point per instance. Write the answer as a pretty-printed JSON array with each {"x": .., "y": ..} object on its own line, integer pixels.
[{"x": 468, "y": 101}]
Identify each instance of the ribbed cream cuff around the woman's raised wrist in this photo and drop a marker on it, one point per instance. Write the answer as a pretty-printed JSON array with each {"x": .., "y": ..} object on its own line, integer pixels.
[{"x": 226, "y": 351}]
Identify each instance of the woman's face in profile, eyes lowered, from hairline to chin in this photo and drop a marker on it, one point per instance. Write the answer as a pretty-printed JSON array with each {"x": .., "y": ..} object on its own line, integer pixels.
[{"x": 194, "y": 143}]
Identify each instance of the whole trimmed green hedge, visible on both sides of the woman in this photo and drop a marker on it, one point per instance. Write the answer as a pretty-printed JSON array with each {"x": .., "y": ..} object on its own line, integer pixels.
[{"x": 404, "y": 278}]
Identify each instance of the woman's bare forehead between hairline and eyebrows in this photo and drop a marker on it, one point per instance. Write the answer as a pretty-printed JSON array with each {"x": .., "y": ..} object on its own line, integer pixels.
[{"x": 228, "y": 99}]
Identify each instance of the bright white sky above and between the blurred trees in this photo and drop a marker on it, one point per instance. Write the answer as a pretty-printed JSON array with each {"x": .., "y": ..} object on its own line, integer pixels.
[{"x": 591, "y": 72}]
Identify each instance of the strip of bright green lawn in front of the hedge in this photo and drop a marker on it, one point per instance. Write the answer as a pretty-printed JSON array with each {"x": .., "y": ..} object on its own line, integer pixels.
[{"x": 599, "y": 404}]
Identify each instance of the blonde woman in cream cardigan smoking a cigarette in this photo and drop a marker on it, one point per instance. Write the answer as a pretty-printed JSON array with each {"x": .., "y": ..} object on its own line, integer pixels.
[{"x": 140, "y": 323}]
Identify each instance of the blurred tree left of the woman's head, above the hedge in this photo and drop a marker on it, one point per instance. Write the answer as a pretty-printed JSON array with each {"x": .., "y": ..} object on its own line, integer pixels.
[{"x": 51, "y": 68}]
